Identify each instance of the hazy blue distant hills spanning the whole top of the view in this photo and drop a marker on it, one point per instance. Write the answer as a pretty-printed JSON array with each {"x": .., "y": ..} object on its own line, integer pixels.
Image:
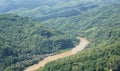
[{"x": 51, "y": 9}]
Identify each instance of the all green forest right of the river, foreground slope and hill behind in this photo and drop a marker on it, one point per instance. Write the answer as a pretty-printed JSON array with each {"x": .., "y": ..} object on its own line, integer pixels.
[{"x": 101, "y": 25}]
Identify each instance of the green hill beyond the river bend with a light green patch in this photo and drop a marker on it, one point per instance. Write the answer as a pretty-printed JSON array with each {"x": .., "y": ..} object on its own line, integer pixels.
[{"x": 101, "y": 23}]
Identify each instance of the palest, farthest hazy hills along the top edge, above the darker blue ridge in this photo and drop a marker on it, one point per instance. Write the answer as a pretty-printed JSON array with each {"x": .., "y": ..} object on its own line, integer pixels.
[{"x": 32, "y": 4}]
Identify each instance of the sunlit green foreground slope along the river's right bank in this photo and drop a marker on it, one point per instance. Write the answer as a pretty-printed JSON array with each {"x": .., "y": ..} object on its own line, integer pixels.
[{"x": 102, "y": 58}]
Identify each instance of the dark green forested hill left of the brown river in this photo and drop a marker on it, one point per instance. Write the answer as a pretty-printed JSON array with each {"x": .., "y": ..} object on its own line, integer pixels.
[{"x": 24, "y": 42}]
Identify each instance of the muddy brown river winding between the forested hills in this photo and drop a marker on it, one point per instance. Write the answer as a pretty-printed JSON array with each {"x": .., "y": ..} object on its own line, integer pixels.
[{"x": 84, "y": 42}]
